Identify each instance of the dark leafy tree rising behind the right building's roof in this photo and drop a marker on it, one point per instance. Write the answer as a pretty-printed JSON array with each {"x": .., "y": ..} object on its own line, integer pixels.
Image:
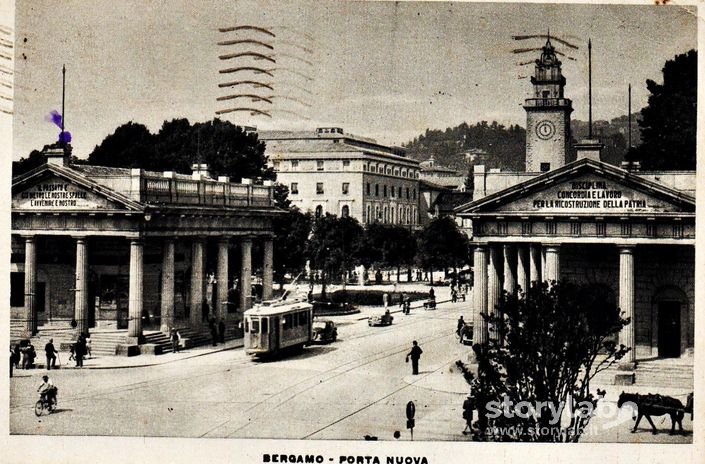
[{"x": 668, "y": 123}]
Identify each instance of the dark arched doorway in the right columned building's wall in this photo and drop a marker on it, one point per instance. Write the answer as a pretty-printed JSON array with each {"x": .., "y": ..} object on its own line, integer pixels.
[{"x": 669, "y": 305}]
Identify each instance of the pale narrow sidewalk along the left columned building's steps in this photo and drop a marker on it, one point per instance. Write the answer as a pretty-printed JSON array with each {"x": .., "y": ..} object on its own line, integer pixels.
[{"x": 144, "y": 360}]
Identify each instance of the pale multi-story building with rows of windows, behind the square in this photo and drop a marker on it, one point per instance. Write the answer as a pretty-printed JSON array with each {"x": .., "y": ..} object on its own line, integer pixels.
[{"x": 330, "y": 171}]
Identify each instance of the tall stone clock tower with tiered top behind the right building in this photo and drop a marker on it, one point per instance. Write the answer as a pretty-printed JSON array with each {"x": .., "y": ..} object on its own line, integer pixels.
[{"x": 547, "y": 115}]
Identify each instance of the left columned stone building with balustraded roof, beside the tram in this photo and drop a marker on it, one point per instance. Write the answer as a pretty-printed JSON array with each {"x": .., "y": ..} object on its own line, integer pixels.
[{"x": 126, "y": 252}]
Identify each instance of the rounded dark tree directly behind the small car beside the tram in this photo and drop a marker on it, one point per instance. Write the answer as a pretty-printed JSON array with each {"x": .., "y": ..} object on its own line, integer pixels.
[{"x": 334, "y": 245}]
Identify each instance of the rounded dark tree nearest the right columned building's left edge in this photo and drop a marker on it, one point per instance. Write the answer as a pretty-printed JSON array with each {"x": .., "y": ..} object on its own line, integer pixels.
[{"x": 441, "y": 244}]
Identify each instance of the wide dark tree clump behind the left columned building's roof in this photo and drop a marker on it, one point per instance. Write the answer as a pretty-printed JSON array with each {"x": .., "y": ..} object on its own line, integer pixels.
[{"x": 227, "y": 149}]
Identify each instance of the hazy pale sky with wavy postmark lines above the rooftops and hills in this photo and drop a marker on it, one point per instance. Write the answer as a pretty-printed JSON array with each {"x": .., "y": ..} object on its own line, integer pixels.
[{"x": 385, "y": 70}]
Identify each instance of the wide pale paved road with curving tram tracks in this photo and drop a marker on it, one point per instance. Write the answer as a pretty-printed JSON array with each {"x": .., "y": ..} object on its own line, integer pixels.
[{"x": 356, "y": 386}]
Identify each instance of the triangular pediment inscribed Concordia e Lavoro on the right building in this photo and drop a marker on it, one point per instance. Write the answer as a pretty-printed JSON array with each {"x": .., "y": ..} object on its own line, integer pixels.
[{"x": 585, "y": 187}]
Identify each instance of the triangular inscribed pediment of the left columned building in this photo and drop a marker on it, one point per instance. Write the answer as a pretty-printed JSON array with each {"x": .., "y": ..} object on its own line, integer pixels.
[{"x": 59, "y": 189}]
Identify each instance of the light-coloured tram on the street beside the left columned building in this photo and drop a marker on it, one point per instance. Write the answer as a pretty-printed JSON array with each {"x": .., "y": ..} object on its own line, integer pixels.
[{"x": 272, "y": 326}]
